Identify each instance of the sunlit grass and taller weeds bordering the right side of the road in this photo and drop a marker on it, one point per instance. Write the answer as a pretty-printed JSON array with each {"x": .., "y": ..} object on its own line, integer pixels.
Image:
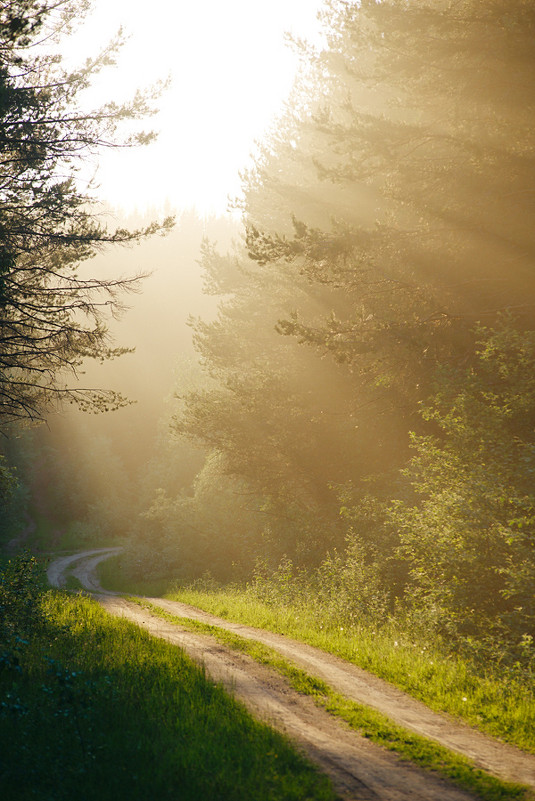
[{"x": 496, "y": 697}]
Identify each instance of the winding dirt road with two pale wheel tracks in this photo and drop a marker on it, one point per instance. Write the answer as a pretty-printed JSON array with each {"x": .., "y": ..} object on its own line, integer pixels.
[{"x": 359, "y": 769}]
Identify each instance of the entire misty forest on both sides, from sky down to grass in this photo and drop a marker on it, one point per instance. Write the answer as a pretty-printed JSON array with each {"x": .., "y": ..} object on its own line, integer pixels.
[{"x": 336, "y": 384}]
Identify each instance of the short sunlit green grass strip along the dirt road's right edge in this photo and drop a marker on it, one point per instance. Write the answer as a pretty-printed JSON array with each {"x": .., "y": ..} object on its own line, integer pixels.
[{"x": 505, "y": 709}]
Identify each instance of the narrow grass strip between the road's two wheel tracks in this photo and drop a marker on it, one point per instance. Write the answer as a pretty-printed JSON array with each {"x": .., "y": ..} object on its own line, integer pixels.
[{"x": 369, "y": 723}]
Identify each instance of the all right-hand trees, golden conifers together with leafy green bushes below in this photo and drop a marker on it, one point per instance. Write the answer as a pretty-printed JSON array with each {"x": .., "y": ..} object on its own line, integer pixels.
[{"x": 383, "y": 299}]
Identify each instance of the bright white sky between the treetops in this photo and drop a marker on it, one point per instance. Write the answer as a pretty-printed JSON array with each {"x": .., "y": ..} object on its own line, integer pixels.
[{"x": 230, "y": 70}]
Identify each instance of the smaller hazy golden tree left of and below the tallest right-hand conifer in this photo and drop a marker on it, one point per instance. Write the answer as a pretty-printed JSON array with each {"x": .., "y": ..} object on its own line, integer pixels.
[{"x": 271, "y": 409}]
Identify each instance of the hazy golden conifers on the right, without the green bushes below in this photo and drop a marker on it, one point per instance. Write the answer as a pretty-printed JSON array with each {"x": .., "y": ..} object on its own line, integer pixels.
[{"x": 387, "y": 211}]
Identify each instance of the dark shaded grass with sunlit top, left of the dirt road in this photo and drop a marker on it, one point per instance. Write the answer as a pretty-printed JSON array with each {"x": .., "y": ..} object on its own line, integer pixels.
[{"x": 99, "y": 709}]
